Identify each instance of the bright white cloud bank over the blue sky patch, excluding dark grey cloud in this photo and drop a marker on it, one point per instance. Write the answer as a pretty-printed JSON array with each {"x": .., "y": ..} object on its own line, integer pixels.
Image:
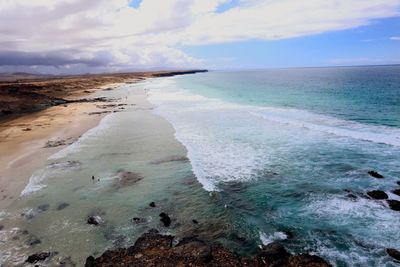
[{"x": 150, "y": 35}]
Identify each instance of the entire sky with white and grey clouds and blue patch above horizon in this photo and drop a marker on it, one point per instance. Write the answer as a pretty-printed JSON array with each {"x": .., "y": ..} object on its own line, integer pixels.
[{"x": 82, "y": 36}]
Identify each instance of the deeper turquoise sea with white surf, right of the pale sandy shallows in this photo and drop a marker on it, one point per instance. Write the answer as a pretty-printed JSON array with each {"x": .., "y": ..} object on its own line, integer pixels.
[{"x": 282, "y": 148}]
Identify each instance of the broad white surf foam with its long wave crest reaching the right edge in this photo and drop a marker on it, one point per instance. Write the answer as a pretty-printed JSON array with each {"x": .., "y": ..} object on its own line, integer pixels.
[{"x": 220, "y": 156}]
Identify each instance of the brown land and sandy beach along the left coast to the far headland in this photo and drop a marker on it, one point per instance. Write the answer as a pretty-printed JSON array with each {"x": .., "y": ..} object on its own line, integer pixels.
[{"x": 28, "y": 139}]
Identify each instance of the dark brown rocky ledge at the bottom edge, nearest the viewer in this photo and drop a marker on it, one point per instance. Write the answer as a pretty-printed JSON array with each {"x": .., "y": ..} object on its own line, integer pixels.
[{"x": 154, "y": 249}]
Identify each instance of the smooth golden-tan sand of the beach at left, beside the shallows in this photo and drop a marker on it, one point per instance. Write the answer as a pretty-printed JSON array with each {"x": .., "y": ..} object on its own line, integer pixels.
[{"x": 23, "y": 141}]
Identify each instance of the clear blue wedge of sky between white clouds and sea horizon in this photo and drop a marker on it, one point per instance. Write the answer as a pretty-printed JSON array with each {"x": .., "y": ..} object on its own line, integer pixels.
[{"x": 364, "y": 45}]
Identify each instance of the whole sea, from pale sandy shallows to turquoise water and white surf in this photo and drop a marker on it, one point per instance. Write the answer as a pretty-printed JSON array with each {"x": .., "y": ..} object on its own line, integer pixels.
[{"x": 253, "y": 156}]
